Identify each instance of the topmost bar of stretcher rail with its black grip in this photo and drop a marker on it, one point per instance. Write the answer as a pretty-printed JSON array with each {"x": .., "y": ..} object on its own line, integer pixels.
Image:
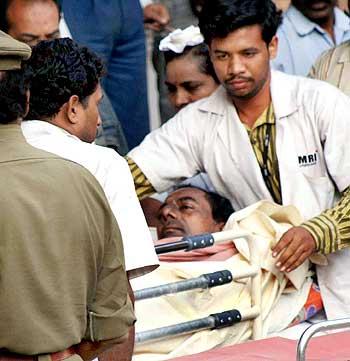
[{"x": 187, "y": 243}]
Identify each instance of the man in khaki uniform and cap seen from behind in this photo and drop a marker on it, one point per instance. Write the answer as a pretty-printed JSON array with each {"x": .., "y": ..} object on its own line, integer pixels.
[{"x": 63, "y": 285}]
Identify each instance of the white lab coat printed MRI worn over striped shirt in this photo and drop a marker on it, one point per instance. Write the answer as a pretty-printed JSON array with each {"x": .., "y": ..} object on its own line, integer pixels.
[{"x": 312, "y": 135}]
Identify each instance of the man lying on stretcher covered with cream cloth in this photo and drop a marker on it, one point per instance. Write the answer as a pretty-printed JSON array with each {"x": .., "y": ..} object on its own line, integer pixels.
[{"x": 285, "y": 297}]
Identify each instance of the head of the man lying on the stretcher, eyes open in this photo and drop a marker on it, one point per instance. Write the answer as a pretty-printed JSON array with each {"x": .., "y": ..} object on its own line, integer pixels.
[{"x": 190, "y": 210}]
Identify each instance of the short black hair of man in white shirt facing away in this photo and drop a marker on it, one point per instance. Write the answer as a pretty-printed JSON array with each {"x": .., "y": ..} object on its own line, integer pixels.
[{"x": 60, "y": 68}]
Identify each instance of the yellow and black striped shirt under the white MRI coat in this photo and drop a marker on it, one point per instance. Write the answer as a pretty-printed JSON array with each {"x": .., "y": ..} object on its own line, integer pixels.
[{"x": 331, "y": 229}]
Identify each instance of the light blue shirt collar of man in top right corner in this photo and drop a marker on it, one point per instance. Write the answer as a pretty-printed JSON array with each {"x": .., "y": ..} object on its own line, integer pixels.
[{"x": 303, "y": 26}]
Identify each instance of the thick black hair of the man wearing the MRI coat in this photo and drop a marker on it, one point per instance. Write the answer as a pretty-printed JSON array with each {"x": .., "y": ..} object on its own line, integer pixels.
[{"x": 219, "y": 18}]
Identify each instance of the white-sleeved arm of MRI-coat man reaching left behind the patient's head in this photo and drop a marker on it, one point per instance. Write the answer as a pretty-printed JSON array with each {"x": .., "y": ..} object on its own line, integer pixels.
[{"x": 171, "y": 153}]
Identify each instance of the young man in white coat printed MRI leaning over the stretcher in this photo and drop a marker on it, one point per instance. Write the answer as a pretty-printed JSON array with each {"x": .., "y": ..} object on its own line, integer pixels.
[{"x": 264, "y": 135}]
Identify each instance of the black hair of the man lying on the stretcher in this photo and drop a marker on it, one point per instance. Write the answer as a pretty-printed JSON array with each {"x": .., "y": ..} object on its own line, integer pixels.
[{"x": 221, "y": 207}]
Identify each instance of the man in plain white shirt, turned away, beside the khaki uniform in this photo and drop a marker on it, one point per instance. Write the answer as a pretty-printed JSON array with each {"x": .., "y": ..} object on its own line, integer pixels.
[{"x": 63, "y": 119}]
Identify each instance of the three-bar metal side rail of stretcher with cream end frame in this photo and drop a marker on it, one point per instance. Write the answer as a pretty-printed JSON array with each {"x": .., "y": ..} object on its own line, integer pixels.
[{"x": 226, "y": 318}]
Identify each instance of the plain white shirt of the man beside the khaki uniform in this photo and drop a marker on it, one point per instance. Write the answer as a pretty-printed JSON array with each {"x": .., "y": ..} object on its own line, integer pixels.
[{"x": 113, "y": 174}]
